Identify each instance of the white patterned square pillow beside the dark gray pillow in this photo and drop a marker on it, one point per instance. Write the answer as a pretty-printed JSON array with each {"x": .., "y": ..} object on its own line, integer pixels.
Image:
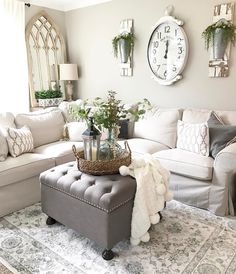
[{"x": 193, "y": 137}]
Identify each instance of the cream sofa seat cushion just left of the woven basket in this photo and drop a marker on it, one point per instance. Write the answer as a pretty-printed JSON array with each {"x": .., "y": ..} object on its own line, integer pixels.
[{"x": 61, "y": 151}]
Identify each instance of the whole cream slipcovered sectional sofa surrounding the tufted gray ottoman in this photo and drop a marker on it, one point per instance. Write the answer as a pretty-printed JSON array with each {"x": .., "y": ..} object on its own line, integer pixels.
[{"x": 195, "y": 179}]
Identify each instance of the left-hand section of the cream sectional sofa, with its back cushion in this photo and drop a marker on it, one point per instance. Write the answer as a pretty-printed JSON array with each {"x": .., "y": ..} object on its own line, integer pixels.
[{"x": 19, "y": 176}]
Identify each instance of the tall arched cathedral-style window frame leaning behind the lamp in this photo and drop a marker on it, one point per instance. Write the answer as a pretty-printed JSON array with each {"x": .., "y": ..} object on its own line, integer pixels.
[{"x": 45, "y": 50}]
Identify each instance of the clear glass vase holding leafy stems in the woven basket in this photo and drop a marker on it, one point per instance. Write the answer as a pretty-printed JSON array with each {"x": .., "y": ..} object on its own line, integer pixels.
[{"x": 110, "y": 149}]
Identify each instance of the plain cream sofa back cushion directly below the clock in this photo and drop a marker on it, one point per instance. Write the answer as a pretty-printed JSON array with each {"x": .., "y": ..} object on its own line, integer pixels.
[{"x": 160, "y": 127}]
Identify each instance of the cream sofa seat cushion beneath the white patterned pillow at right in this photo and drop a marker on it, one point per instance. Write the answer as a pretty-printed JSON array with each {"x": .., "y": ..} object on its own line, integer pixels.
[{"x": 186, "y": 163}]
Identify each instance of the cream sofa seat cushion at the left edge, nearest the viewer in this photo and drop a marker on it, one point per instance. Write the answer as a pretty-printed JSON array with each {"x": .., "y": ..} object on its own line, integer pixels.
[{"x": 23, "y": 167}]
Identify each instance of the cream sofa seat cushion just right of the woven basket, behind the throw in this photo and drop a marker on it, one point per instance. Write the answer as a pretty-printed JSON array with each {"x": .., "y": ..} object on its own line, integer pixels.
[{"x": 139, "y": 145}]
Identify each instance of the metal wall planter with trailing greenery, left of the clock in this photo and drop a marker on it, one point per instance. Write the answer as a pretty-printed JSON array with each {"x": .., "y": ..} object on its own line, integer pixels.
[{"x": 124, "y": 43}]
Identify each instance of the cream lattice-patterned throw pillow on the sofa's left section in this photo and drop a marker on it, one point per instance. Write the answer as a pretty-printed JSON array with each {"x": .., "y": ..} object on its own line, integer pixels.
[{"x": 19, "y": 141}]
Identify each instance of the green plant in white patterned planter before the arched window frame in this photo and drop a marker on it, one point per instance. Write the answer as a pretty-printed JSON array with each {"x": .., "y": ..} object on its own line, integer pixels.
[{"x": 49, "y": 98}]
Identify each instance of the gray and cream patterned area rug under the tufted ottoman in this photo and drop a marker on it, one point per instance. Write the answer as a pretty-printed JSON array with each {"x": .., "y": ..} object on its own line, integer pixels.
[{"x": 188, "y": 240}]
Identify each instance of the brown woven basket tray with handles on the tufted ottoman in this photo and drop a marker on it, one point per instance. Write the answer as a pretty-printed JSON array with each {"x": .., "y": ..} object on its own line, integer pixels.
[{"x": 100, "y": 167}]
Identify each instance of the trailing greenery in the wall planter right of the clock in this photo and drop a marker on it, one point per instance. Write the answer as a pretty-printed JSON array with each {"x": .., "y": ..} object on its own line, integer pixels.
[{"x": 228, "y": 33}]
